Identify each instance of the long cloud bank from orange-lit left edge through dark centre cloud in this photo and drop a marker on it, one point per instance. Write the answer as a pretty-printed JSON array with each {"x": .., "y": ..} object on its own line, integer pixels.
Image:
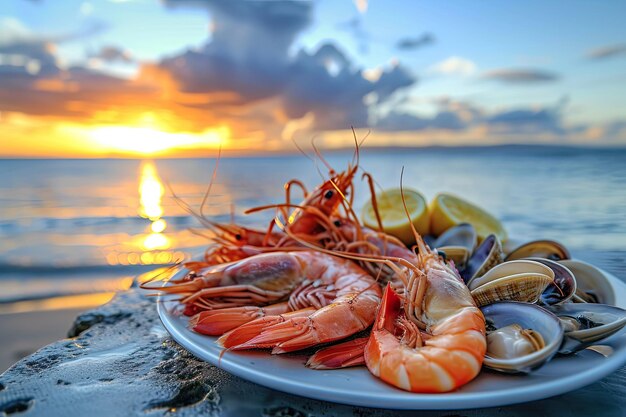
[{"x": 247, "y": 76}]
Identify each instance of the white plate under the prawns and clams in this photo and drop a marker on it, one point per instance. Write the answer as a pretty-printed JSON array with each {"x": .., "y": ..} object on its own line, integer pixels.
[{"x": 356, "y": 386}]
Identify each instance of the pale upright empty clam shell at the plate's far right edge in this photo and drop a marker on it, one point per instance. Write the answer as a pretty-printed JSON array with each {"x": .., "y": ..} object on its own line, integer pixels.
[{"x": 592, "y": 286}]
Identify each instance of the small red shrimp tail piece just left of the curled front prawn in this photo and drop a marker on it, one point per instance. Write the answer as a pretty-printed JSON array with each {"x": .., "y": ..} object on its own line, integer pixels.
[{"x": 341, "y": 355}]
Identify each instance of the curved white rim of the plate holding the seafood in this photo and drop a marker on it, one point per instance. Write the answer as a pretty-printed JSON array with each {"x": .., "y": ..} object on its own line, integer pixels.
[{"x": 402, "y": 400}]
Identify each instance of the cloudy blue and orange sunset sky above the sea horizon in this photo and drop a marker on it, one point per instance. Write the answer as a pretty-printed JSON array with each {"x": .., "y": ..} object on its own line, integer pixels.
[{"x": 100, "y": 78}]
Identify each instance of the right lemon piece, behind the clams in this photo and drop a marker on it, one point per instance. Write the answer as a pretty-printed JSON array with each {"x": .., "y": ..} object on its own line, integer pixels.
[{"x": 447, "y": 210}]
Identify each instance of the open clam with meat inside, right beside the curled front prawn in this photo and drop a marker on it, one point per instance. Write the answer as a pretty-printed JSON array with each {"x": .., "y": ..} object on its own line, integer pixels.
[{"x": 521, "y": 337}]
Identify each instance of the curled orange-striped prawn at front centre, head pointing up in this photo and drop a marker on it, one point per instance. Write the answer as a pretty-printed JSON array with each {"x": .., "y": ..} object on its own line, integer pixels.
[{"x": 434, "y": 341}]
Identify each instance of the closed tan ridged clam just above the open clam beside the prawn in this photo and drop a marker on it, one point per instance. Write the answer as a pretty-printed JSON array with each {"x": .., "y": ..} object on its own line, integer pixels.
[{"x": 521, "y": 280}]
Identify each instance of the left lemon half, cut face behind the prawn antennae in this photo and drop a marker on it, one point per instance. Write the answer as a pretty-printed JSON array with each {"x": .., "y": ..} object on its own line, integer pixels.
[{"x": 394, "y": 219}]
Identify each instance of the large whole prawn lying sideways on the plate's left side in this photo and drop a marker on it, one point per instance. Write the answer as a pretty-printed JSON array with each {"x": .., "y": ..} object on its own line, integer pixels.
[{"x": 328, "y": 299}]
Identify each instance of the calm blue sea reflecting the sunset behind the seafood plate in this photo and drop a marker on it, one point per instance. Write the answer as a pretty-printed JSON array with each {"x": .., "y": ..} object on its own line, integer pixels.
[{"x": 73, "y": 228}]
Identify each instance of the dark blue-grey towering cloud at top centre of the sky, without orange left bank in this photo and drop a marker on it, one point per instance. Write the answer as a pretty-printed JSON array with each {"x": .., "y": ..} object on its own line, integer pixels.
[{"x": 248, "y": 55}]
